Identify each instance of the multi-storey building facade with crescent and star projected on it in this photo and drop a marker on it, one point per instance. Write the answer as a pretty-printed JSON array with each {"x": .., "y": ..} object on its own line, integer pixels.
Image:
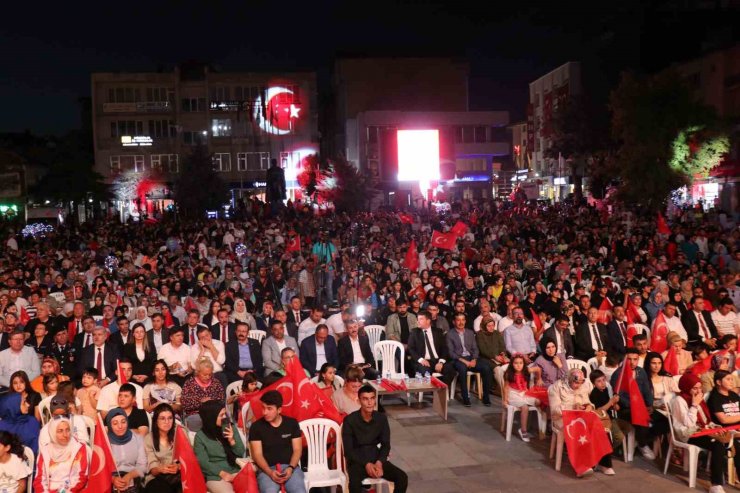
[{"x": 145, "y": 124}]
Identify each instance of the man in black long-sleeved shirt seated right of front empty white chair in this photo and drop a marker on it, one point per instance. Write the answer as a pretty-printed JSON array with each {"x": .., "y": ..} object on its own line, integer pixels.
[{"x": 367, "y": 441}]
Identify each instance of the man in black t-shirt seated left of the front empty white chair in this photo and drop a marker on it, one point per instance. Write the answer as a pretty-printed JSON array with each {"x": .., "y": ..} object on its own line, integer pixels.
[{"x": 276, "y": 446}]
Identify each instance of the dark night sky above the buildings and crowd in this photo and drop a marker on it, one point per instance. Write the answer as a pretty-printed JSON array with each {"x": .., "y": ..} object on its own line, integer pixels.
[{"x": 48, "y": 50}]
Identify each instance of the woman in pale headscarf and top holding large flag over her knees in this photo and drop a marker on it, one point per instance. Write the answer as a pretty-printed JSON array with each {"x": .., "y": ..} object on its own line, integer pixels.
[{"x": 570, "y": 394}]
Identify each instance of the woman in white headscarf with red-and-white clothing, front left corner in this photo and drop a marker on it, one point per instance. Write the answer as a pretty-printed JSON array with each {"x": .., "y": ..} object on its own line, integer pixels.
[{"x": 62, "y": 464}]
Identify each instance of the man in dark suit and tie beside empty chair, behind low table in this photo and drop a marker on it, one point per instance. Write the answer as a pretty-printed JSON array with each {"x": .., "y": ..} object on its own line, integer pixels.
[{"x": 428, "y": 351}]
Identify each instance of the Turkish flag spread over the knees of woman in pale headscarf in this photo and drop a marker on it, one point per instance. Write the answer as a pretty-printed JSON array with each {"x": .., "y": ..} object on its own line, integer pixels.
[{"x": 585, "y": 438}]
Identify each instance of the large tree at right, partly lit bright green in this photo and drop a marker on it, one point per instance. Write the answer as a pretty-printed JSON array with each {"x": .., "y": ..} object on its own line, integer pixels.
[{"x": 665, "y": 137}]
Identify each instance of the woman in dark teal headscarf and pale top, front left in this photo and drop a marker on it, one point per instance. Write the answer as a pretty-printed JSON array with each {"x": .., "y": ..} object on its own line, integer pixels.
[{"x": 128, "y": 452}]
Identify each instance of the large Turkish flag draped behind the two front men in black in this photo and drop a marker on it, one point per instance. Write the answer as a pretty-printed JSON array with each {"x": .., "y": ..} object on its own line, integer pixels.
[{"x": 302, "y": 399}]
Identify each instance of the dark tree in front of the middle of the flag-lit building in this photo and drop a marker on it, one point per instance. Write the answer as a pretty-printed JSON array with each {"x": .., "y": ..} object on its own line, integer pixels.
[{"x": 198, "y": 187}]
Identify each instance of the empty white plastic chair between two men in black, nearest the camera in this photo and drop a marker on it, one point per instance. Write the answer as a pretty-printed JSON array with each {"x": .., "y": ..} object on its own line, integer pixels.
[{"x": 318, "y": 474}]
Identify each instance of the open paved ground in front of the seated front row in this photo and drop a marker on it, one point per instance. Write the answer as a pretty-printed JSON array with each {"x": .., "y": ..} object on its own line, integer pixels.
[{"x": 470, "y": 454}]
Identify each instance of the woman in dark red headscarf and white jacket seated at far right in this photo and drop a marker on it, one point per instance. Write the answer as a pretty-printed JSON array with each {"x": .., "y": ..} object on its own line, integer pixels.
[{"x": 691, "y": 414}]
